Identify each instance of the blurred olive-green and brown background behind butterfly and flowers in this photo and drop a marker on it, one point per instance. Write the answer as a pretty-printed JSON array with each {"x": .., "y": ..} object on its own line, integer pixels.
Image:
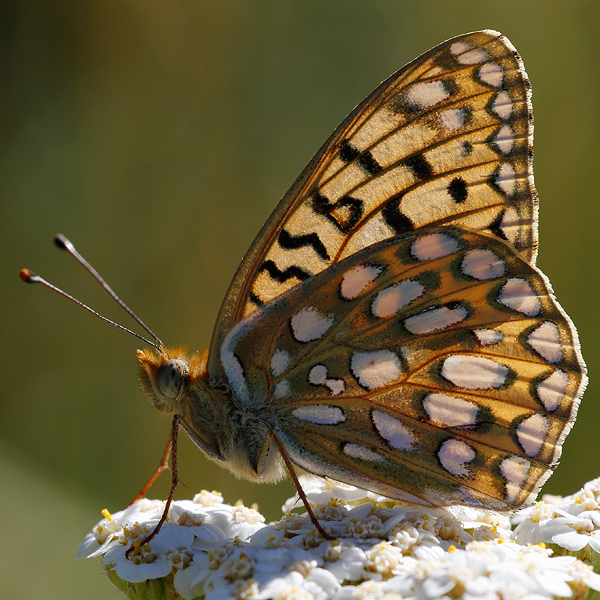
[{"x": 159, "y": 135}]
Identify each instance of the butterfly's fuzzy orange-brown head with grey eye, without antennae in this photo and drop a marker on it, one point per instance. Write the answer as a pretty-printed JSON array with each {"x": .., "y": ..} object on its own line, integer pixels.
[{"x": 165, "y": 376}]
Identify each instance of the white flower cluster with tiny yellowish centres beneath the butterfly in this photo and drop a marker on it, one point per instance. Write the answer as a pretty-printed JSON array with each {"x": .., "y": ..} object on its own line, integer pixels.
[{"x": 382, "y": 550}]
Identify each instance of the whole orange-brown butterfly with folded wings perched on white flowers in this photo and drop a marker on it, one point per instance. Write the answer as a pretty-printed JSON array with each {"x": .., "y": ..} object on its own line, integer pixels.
[{"x": 388, "y": 327}]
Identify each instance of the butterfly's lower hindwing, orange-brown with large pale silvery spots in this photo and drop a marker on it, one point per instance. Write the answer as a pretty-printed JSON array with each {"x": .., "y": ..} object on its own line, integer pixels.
[{"x": 434, "y": 367}]
